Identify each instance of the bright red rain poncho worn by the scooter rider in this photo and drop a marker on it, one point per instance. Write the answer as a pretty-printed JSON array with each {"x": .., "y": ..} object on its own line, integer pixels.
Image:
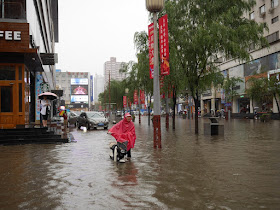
[{"x": 124, "y": 131}]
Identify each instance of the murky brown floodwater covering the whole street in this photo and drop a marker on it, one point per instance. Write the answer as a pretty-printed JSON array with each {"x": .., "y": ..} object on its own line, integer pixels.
[{"x": 240, "y": 170}]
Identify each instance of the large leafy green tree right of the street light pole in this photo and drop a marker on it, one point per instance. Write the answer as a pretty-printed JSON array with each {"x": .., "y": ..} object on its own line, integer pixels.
[{"x": 202, "y": 30}]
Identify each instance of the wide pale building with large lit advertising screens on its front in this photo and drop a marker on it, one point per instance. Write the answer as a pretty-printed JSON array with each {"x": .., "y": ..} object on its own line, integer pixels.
[{"x": 76, "y": 89}]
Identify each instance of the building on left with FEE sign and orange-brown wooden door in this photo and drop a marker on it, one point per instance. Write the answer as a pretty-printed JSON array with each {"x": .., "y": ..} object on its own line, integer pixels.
[{"x": 28, "y": 32}]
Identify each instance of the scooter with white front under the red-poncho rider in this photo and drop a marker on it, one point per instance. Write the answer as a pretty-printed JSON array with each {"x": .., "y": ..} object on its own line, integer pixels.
[{"x": 118, "y": 151}]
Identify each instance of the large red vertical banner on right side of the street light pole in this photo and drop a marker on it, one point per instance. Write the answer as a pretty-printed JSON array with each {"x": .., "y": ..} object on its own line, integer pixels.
[{"x": 164, "y": 45}]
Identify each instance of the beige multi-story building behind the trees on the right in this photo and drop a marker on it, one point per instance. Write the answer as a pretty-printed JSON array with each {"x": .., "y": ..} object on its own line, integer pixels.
[{"x": 265, "y": 61}]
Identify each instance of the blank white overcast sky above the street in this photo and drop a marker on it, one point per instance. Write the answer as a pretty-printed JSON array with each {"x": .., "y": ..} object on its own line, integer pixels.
[{"x": 92, "y": 31}]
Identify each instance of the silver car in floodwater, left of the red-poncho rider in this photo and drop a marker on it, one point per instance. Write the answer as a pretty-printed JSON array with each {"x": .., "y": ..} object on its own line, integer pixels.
[{"x": 93, "y": 120}]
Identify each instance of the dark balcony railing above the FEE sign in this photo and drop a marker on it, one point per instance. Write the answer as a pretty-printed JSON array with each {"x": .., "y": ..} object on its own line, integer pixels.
[{"x": 12, "y": 10}]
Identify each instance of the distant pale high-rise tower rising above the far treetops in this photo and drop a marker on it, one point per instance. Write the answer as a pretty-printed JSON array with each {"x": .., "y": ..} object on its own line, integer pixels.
[{"x": 113, "y": 67}]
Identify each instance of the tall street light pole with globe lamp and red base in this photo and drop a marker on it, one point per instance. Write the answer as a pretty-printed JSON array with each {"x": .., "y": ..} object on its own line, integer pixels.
[{"x": 155, "y": 6}]
